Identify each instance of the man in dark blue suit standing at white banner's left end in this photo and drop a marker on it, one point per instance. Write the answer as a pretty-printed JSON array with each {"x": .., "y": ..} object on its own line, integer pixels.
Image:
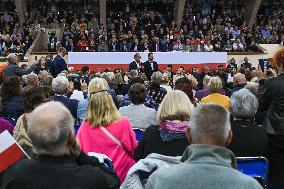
[{"x": 59, "y": 62}]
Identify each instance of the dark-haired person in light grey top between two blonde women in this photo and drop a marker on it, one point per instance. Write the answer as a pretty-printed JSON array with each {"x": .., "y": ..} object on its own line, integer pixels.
[{"x": 138, "y": 114}]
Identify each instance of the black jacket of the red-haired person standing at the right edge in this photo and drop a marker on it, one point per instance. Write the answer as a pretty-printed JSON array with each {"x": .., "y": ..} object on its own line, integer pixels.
[{"x": 271, "y": 98}]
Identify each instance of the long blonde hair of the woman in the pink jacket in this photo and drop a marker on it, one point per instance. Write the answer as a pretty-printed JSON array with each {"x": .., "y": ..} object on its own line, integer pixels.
[{"x": 101, "y": 110}]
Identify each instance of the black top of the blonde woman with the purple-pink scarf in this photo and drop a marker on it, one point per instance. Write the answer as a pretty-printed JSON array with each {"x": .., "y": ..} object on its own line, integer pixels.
[{"x": 151, "y": 142}]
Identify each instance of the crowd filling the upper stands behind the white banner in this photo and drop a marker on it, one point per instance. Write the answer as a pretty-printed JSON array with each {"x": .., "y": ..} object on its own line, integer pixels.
[{"x": 206, "y": 26}]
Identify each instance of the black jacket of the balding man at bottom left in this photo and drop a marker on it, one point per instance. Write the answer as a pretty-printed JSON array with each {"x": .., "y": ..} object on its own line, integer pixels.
[{"x": 46, "y": 172}]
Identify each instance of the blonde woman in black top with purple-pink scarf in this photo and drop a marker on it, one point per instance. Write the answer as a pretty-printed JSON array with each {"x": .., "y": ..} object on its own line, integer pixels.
[{"x": 169, "y": 137}]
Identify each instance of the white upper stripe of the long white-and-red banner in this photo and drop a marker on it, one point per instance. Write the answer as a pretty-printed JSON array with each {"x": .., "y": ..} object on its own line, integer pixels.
[{"x": 114, "y": 58}]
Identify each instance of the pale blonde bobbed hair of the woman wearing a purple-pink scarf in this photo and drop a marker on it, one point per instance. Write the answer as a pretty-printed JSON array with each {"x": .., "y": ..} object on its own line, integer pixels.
[{"x": 175, "y": 106}]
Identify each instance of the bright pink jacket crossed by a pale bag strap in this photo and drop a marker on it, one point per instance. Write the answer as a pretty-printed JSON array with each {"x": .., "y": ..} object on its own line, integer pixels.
[{"x": 95, "y": 140}]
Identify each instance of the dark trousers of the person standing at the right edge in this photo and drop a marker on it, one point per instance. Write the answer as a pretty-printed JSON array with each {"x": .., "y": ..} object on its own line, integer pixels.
[{"x": 275, "y": 150}]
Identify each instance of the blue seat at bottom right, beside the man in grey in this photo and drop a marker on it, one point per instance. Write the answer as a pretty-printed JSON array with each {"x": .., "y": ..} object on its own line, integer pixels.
[{"x": 256, "y": 167}]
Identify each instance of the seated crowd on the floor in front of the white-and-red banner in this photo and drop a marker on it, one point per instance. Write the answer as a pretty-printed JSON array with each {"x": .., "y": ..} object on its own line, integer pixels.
[{"x": 169, "y": 108}]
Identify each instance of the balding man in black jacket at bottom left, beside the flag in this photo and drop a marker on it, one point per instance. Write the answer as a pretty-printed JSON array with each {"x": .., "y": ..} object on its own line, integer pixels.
[{"x": 59, "y": 162}]
